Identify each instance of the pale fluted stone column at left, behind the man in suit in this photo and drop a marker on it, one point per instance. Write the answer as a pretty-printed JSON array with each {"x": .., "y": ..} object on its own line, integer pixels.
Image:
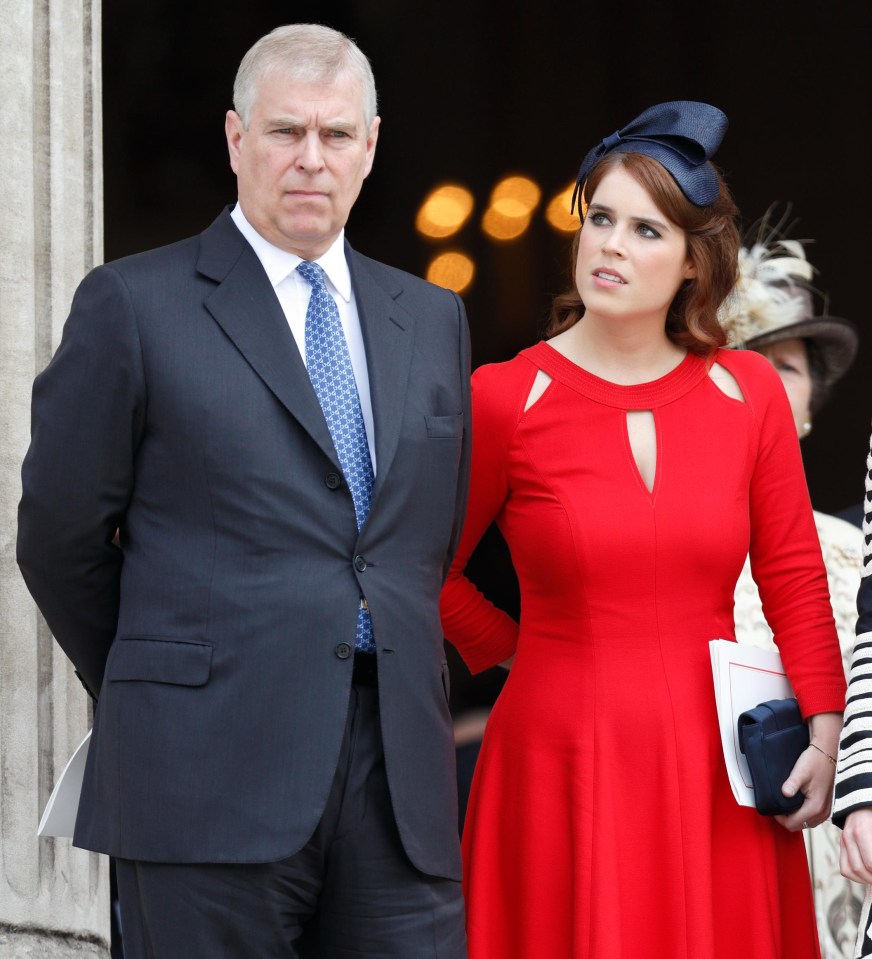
[{"x": 53, "y": 898}]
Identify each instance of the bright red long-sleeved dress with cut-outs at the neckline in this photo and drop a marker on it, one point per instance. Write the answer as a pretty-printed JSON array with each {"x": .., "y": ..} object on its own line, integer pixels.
[{"x": 601, "y": 824}]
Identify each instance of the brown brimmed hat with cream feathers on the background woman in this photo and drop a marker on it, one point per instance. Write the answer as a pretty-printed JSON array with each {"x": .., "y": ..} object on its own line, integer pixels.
[{"x": 772, "y": 301}]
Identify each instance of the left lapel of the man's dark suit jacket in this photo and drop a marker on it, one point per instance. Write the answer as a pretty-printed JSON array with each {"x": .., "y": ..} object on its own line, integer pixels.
[{"x": 245, "y": 306}]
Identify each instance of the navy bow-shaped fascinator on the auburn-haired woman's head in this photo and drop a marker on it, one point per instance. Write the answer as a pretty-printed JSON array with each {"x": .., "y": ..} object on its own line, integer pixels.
[{"x": 681, "y": 136}]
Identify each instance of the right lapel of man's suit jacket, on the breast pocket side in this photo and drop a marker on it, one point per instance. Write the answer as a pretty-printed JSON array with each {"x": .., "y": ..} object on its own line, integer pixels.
[{"x": 388, "y": 335}]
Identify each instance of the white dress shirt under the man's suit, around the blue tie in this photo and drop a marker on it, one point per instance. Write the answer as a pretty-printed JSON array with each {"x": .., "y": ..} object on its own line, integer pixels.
[{"x": 293, "y": 292}]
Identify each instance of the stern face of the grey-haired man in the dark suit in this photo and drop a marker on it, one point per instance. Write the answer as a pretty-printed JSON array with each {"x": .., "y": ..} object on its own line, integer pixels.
[{"x": 302, "y": 161}]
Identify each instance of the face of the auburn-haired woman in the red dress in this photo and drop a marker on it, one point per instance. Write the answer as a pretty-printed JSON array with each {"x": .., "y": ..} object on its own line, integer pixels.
[{"x": 631, "y": 259}]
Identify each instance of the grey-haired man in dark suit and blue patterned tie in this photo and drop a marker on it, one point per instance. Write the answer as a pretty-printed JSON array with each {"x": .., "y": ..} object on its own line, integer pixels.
[{"x": 283, "y": 453}]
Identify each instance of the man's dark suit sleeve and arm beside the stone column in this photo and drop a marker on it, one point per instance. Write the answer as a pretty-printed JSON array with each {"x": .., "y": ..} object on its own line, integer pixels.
[{"x": 87, "y": 419}]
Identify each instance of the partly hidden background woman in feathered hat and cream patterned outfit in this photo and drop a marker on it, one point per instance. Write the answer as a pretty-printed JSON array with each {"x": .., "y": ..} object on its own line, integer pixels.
[{"x": 771, "y": 312}]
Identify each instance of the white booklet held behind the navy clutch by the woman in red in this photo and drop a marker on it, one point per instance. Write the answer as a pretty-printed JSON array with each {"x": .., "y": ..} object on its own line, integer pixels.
[{"x": 744, "y": 676}]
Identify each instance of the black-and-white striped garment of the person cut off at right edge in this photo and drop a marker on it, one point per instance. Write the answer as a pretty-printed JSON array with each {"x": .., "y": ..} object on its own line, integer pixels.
[{"x": 854, "y": 772}]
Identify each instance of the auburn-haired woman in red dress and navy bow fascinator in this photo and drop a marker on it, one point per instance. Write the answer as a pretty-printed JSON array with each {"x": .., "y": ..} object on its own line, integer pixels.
[{"x": 629, "y": 462}]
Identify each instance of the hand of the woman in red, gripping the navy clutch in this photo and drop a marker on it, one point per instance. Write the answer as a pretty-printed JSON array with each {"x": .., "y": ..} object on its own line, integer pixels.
[{"x": 814, "y": 773}]
